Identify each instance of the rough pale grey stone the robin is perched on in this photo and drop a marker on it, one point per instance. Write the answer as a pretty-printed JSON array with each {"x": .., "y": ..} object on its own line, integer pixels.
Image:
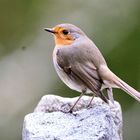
[{"x": 48, "y": 122}]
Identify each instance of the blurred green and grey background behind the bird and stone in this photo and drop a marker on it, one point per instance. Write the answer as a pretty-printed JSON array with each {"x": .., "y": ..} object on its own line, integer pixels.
[{"x": 26, "y": 68}]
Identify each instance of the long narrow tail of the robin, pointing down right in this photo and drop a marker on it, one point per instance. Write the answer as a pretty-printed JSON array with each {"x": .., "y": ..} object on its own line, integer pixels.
[{"x": 128, "y": 89}]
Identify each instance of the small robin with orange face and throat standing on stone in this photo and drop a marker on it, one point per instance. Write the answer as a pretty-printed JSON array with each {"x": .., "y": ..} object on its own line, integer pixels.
[{"x": 82, "y": 67}]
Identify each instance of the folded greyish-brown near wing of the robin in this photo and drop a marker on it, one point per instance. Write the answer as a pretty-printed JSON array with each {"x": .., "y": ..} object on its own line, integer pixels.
[{"x": 80, "y": 70}]
